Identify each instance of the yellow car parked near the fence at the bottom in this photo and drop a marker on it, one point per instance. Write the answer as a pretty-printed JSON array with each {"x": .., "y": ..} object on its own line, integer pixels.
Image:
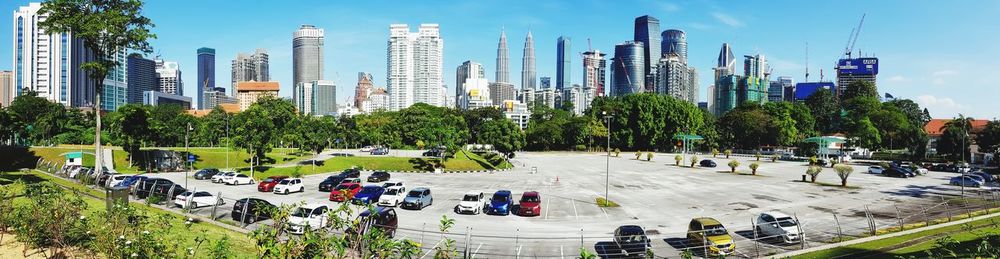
[{"x": 710, "y": 233}]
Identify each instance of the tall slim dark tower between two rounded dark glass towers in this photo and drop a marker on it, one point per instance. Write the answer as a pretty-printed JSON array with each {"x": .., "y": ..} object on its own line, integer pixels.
[{"x": 647, "y": 31}]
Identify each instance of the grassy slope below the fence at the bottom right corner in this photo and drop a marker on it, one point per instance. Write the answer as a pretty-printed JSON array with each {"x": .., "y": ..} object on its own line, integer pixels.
[{"x": 915, "y": 250}]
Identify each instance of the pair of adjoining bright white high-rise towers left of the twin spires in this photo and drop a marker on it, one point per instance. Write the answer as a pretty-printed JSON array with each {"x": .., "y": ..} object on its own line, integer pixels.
[{"x": 414, "y": 67}]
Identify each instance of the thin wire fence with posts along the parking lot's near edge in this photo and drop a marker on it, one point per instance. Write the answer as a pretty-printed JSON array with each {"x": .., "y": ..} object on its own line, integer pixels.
[{"x": 749, "y": 241}]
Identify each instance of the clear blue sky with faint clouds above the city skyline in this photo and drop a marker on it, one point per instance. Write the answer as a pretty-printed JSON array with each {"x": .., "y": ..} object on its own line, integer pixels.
[{"x": 940, "y": 54}]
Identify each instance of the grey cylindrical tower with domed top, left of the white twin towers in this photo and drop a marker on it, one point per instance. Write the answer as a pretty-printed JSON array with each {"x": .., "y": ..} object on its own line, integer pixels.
[{"x": 307, "y": 55}]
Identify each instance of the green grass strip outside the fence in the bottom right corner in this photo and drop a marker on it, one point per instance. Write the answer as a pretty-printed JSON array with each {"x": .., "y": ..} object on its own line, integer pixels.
[{"x": 913, "y": 244}]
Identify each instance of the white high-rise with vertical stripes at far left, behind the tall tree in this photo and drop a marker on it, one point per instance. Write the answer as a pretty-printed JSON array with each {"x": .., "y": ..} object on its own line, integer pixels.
[{"x": 48, "y": 63}]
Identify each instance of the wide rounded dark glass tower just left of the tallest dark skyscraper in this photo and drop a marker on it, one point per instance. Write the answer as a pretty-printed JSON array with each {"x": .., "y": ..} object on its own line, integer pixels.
[{"x": 626, "y": 69}]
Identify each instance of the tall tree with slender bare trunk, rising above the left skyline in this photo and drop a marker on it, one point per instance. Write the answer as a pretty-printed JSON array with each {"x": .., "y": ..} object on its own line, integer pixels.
[{"x": 105, "y": 26}]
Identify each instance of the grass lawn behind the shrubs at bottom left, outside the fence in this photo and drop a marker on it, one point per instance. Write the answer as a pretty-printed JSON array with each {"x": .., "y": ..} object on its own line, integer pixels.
[{"x": 241, "y": 245}]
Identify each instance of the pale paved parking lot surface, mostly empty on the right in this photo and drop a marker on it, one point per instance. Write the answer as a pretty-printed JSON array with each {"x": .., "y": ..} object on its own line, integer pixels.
[{"x": 660, "y": 197}]
